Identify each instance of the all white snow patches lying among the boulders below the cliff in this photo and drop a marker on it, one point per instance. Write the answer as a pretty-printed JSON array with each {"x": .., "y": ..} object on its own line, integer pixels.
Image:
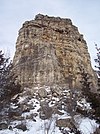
[{"x": 86, "y": 125}]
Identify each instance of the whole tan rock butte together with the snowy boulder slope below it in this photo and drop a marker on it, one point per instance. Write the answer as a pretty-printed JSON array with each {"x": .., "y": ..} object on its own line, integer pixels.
[{"x": 51, "y": 61}]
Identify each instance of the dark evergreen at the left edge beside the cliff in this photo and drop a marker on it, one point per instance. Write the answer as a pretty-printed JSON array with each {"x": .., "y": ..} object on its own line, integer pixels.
[{"x": 8, "y": 85}]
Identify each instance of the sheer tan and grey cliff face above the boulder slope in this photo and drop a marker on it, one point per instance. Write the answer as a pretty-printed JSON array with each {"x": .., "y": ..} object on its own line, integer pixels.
[{"x": 50, "y": 51}]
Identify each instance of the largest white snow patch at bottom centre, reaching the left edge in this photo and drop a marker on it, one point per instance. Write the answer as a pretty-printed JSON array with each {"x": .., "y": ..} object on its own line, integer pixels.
[{"x": 39, "y": 127}]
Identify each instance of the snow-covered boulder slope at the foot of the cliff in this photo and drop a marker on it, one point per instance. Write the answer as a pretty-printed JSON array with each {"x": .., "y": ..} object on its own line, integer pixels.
[{"x": 47, "y": 112}]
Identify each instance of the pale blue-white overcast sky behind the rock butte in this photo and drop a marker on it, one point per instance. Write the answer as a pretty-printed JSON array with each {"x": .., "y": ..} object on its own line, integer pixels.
[{"x": 85, "y": 14}]
